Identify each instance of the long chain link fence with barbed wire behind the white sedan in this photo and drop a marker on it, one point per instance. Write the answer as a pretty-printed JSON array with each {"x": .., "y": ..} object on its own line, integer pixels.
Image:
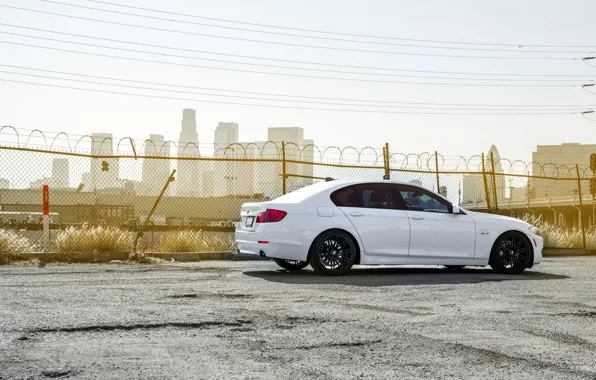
[{"x": 113, "y": 188}]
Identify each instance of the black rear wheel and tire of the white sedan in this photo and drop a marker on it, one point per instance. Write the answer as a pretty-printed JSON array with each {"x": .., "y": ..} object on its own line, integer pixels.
[{"x": 333, "y": 253}]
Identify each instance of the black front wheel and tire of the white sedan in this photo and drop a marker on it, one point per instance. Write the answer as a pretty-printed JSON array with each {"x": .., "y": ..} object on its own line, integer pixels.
[{"x": 511, "y": 253}]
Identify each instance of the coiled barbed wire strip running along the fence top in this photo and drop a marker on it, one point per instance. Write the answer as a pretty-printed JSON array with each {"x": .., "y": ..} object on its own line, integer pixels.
[{"x": 431, "y": 162}]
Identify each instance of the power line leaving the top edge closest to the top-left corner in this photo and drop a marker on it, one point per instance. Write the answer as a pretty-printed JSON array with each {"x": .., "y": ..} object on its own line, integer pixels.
[{"x": 306, "y": 36}]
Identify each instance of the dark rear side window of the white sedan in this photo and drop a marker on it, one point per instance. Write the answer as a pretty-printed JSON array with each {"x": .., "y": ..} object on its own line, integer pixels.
[{"x": 373, "y": 195}]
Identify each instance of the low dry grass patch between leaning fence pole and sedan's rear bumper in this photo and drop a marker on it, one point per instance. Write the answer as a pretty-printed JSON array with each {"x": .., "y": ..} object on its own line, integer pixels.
[{"x": 193, "y": 241}]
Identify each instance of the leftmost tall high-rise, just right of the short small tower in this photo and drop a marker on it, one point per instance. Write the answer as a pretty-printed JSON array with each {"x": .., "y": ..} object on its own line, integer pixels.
[{"x": 104, "y": 171}]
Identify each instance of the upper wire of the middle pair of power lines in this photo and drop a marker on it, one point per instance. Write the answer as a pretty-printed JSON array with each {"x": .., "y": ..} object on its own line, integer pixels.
[{"x": 277, "y": 60}]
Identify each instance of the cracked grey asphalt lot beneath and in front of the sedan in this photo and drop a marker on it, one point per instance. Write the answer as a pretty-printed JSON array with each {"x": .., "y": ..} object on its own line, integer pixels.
[{"x": 250, "y": 320}]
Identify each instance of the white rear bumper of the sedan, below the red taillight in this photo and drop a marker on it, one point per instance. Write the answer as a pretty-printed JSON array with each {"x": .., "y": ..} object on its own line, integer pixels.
[{"x": 275, "y": 242}]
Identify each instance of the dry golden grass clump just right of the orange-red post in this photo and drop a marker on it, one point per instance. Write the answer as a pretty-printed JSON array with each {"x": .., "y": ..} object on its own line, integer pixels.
[{"x": 75, "y": 242}]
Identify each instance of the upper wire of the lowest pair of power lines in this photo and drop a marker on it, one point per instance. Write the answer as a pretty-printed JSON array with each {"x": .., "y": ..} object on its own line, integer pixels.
[{"x": 297, "y": 96}]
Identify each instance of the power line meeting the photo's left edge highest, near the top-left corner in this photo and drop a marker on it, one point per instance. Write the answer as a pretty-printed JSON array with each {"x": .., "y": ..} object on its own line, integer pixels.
[{"x": 286, "y": 43}]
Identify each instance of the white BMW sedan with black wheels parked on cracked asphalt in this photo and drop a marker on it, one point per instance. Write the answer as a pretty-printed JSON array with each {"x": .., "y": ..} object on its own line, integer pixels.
[{"x": 334, "y": 225}]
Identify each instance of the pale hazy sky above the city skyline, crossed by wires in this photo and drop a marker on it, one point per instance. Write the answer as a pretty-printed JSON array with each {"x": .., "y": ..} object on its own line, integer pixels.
[{"x": 505, "y": 22}]
